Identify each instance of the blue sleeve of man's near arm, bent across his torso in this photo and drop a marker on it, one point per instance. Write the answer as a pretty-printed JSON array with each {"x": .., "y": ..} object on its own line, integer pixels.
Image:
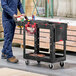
[{"x": 6, "y": 8}]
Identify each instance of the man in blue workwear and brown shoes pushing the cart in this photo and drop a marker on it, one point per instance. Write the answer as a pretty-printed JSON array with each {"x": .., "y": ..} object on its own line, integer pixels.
[{"x": 9, "y": 11}]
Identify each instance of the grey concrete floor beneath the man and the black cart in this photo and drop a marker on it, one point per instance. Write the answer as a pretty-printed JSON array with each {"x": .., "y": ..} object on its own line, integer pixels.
[{"x": 68, "y": 70}]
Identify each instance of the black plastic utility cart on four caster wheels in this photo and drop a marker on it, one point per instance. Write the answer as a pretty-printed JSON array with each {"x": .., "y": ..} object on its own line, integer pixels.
[{"x": 58, "y": 32}]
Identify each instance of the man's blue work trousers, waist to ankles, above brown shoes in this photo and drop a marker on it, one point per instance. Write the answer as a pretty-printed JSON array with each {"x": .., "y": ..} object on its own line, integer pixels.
[{"x": 9, "y": 29}]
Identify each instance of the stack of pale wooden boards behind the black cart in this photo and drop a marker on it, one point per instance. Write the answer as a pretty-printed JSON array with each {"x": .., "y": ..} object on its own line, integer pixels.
[{"x": 71, "y": 39}]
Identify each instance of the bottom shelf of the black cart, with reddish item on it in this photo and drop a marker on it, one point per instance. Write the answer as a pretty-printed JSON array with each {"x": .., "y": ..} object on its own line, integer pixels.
[{"x": 44, "y": 57}]
